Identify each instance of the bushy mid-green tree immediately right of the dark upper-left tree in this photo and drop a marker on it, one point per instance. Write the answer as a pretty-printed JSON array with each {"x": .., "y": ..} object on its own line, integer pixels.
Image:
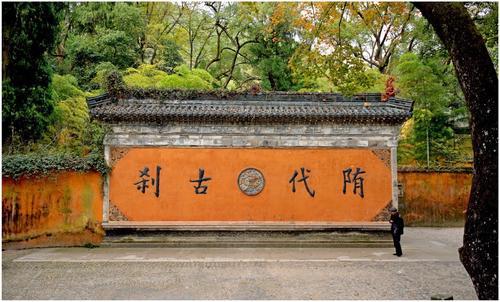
[{"x": 104, "y": 33}]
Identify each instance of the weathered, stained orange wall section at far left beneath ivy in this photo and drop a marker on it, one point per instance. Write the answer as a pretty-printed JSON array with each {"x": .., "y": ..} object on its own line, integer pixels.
[{"x": 62, "y": 208}]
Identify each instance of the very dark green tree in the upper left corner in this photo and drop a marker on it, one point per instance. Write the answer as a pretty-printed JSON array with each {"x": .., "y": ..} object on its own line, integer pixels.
[{"x": 29, "y": 31}]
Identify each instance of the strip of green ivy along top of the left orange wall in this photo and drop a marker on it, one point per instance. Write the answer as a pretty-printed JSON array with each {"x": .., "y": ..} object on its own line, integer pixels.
[{"x": 35, "y": 164}]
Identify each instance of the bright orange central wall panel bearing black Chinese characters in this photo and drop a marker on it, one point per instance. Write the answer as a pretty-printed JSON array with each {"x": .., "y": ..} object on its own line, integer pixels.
[{"x": 225, "y": 202}]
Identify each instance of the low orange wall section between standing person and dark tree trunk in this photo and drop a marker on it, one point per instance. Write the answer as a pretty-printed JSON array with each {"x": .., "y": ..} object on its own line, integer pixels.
[{"x": 432, "y": 198}]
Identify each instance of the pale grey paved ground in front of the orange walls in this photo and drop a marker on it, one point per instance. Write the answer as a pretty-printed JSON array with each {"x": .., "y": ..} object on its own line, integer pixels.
[{"x": 429, "y": 266}]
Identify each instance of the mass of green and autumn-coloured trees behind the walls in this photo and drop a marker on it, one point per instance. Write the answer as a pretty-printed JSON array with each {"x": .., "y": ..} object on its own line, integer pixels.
[{"x": 320, "y": 46}]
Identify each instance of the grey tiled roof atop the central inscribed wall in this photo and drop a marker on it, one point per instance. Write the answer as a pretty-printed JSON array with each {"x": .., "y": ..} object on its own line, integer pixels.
[{"x": 261, "y": 108}]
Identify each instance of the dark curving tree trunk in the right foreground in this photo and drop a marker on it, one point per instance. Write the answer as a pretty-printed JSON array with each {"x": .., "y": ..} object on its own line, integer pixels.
[{"x": 479, "y": 82}]
